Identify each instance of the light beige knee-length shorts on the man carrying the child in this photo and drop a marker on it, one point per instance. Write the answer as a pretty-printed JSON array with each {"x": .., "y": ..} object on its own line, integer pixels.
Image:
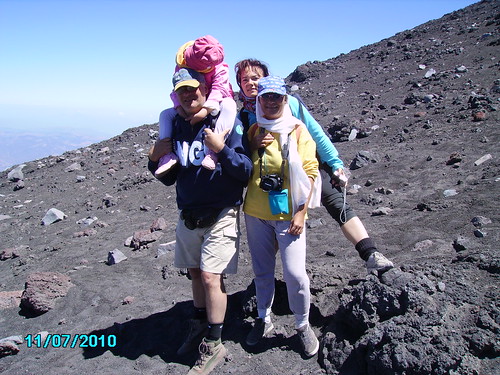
[{"x": 213, "y": 249}]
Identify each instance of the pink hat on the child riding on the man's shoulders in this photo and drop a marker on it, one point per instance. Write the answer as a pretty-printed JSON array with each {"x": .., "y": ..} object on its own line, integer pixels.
[{"x": 204, "y": 54}]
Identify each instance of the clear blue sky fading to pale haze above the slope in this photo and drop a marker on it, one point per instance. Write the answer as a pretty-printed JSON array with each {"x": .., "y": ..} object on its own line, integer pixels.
[{"x": 100, "y": 67}]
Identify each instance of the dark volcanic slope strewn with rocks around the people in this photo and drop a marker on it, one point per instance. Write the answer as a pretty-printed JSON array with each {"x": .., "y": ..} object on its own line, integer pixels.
[{"x": 416, "y": 119}]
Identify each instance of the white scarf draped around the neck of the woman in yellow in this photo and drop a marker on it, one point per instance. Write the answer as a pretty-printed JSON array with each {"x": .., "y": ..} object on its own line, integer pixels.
[{"x": 300, "y": 185}]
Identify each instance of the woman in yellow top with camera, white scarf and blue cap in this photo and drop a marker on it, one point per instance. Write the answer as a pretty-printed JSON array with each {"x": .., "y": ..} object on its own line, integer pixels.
[{"x": 285, "y": 181}]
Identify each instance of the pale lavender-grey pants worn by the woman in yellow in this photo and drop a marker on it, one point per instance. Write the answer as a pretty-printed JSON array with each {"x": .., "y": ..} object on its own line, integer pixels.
[{"x": 261, "y": 241}]
